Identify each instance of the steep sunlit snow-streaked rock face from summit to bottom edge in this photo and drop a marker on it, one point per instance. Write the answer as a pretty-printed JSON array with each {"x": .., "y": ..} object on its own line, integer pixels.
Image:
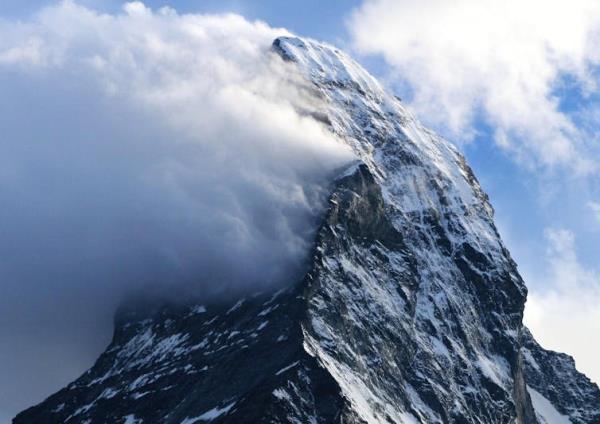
[{"x": 417, "y": 315}]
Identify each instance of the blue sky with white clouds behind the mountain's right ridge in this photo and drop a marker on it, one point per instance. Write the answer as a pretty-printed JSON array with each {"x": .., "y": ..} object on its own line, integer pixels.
[{"x": 526, "y": 119}]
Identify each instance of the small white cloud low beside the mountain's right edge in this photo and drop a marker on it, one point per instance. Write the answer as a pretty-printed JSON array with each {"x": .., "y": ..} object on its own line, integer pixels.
[{"x": 563, "y": 307}]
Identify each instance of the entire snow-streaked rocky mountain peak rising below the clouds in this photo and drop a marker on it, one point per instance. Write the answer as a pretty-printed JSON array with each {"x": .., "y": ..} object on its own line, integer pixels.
[{"x": 411, "y": 311}]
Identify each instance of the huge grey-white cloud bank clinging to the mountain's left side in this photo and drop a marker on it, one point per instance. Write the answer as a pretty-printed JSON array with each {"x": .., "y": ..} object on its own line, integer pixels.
[{"x": 140, "y": 149}]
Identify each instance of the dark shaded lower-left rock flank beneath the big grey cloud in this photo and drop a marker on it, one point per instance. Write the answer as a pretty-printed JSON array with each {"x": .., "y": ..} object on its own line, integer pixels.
[{"x": 178, "y": 364}]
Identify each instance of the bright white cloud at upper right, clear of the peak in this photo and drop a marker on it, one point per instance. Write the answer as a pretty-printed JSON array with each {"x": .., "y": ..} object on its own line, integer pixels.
[{"x": 509, "y": 63}]
